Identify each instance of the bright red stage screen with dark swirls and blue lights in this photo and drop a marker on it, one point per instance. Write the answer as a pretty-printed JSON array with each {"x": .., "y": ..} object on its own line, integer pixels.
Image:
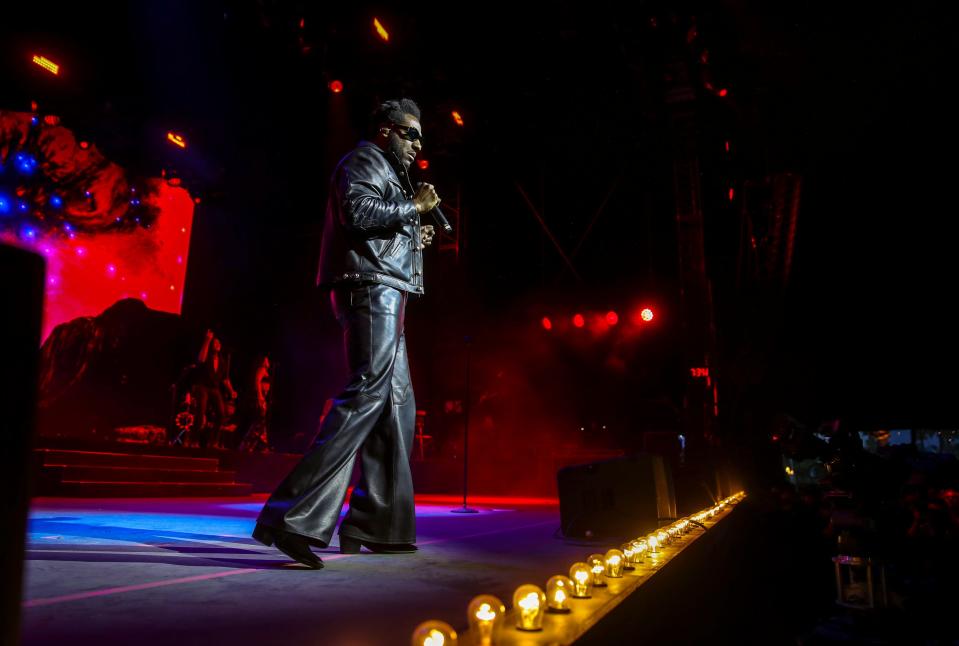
[{"x": 105, "y": 236}]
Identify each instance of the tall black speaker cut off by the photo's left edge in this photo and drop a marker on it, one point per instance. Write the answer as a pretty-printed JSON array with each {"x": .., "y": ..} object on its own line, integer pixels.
[{"x": 21, "y": 296}]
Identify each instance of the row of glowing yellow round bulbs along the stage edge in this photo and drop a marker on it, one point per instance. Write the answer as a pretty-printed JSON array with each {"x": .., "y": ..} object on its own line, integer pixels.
[{"x": 486, "y": 612}]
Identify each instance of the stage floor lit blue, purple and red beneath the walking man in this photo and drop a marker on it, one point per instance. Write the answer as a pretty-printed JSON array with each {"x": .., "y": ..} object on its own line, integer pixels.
[{"x": 185, "y": 571}]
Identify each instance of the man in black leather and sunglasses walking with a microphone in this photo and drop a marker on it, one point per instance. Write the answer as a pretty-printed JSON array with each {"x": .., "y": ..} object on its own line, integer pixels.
[{"x": 371, "y": 260}]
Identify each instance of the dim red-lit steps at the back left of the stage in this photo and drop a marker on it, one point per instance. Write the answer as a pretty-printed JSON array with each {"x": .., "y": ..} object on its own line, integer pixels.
[{"x": 108, "y": 474}]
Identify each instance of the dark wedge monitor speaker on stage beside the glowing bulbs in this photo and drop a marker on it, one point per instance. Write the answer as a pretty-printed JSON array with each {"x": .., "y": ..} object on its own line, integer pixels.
[{"x": 621, "y": 498}]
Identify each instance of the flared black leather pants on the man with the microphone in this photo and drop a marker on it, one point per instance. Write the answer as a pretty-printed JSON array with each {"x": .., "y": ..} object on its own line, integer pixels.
[{"x": 374, "y": 415}]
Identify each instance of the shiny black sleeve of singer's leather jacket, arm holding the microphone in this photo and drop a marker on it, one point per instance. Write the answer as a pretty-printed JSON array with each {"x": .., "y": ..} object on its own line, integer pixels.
[{"x": 359, "y": 189}]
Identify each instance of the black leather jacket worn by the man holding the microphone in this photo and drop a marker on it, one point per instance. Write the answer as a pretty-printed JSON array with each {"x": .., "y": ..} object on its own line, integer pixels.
[{"x": 372, "y": 229}]
